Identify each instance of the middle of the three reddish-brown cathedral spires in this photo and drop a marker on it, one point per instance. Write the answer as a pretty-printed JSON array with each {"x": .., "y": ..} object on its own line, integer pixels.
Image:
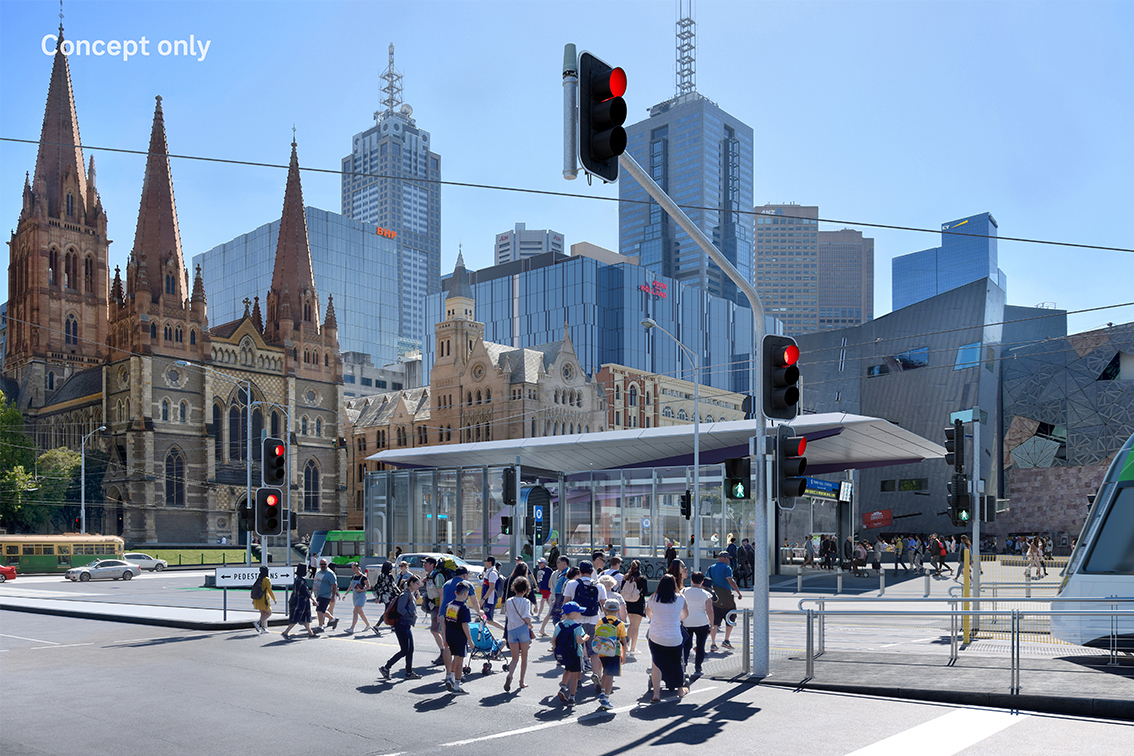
[{"x": 157, "y": 257}]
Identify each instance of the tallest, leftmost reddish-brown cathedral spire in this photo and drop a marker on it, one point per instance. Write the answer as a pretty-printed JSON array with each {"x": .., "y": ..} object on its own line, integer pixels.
[{"x": 60, "y": 163}]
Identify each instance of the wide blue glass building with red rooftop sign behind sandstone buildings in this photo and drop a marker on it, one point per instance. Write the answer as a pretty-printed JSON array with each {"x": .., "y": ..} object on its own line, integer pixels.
[{"x": 529, "y": 303}]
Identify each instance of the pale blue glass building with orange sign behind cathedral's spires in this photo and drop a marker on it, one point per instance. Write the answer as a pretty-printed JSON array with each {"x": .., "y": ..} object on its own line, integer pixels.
[{"x": 350, "y": 260}]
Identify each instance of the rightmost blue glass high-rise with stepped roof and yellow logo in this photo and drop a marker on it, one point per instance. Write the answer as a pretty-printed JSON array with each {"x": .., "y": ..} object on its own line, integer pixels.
[{"x": 968, "y": 253}]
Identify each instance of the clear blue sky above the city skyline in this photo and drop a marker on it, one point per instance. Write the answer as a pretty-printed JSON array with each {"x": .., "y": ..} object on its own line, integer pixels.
[{"x": 910, "y": 114}]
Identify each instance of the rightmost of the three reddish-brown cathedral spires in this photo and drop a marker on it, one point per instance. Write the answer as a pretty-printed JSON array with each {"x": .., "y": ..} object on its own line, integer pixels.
[{"x": 293, "y": 293}]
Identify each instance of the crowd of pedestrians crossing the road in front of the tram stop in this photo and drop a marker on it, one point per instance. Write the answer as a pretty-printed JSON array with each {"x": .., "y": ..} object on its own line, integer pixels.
[{"x": 596, "y": 609}]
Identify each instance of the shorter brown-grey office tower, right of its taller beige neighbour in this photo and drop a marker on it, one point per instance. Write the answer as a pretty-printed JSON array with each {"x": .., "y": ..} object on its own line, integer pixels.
[{"x": 847, "y": 279}]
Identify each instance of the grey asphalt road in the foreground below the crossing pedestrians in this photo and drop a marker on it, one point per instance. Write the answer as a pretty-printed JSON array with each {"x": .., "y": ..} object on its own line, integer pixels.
[{"x": 88, "y": 687}]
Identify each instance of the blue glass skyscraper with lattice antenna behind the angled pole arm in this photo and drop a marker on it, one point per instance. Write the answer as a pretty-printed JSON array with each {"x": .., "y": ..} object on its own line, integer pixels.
[{"x": 703, "y": 158}]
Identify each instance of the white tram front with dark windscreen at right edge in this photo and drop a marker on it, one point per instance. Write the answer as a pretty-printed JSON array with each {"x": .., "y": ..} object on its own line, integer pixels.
[{"x": 1103, "y": 563}]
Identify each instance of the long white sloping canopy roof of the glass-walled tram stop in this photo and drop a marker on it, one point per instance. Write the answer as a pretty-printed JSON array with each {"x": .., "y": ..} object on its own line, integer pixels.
[{"x": 836, "y": 441}]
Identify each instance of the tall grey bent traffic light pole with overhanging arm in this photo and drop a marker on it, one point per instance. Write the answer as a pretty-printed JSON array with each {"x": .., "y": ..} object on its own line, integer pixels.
[{"x": 764, "y": 547}]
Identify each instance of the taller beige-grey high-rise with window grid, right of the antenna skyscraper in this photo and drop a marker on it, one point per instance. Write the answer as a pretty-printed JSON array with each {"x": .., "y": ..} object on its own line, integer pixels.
[{"x": 788, "y": 265}]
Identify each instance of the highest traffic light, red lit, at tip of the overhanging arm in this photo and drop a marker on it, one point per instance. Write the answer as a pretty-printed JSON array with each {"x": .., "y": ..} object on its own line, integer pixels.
[{"x": 602, "y": 115}]
